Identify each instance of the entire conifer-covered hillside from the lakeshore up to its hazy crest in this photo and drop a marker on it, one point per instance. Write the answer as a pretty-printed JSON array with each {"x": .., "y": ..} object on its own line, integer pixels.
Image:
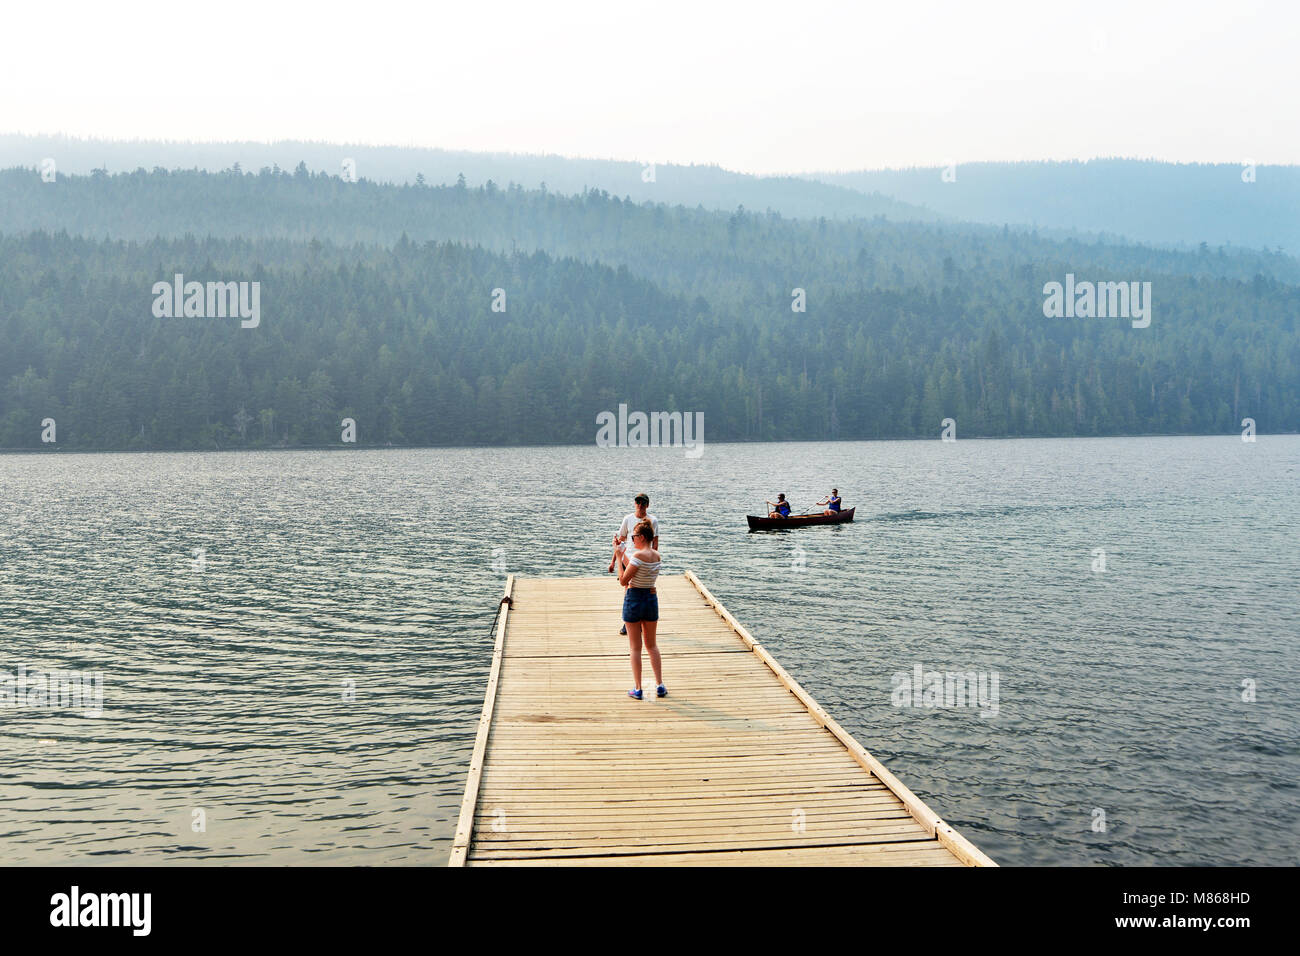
[{"x": 366, "y": 315}]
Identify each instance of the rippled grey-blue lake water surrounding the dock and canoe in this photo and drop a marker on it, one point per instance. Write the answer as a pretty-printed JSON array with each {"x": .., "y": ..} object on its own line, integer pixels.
[{"x": 307, "y": 686}]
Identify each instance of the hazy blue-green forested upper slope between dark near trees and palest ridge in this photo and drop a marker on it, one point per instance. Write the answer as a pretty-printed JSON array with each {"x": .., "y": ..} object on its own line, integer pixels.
[{"x": 683, "y": 249}]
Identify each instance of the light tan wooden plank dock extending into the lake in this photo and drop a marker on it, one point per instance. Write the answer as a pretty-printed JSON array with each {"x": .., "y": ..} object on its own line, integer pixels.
[{"x": 736, "y": 767}]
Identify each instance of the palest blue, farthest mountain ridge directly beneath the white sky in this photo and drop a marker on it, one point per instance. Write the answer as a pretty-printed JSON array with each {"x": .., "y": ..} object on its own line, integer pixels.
[{"x": 1123, "y": 200}]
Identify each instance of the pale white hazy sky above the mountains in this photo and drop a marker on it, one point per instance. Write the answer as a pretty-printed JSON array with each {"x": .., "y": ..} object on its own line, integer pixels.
[{"x": 752, "y": 86}]
